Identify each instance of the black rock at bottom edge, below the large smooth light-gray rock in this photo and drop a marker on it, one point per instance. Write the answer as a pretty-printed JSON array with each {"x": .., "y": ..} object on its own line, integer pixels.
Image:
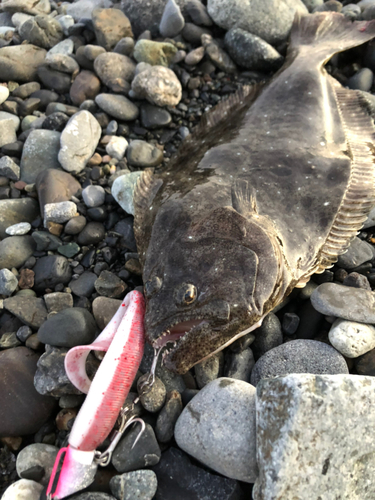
[{"x": 179, "y": 478}]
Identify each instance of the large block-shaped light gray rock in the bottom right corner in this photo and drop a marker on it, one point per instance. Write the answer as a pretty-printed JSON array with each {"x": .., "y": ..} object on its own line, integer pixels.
[{"x": 315, "y": 437}]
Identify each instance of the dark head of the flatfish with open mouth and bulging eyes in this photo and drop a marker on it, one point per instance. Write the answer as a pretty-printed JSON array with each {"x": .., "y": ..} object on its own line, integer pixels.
[{"x": 215, "y": 282}]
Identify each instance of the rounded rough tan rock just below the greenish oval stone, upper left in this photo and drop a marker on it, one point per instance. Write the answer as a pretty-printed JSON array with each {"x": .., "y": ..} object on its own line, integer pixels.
[{"x": 159, "y": 85}]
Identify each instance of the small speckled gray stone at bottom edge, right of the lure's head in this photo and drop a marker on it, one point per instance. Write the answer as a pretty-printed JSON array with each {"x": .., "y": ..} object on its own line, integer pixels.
[{"x": 135, "y": 485}]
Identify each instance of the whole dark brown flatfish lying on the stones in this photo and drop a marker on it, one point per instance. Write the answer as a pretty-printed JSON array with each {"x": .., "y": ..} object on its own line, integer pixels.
[{"x": 270, "y": 188}]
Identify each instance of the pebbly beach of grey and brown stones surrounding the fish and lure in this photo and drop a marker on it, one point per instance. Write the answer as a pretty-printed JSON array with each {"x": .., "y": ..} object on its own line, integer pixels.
[{"x": 92, "y": 93}]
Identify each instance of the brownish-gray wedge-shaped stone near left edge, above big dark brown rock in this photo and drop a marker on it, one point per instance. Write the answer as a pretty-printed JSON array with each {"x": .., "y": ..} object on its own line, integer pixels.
[{"x": 30, "y": 310}]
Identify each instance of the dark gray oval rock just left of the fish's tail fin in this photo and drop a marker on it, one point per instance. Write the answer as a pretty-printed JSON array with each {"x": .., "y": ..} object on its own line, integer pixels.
[{"x": 251, "y": 52}]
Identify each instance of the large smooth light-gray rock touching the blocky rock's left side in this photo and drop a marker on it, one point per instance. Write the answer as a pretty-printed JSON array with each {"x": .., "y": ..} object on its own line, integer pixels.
[{"x": 217, "y": 428}]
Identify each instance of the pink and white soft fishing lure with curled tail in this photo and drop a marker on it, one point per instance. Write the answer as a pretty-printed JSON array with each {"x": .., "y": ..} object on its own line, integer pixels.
[{"x": 123, "y": 339}]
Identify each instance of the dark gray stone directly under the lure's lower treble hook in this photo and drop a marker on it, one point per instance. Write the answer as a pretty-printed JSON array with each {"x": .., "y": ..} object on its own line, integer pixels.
[{"x": 145, "y": 453}]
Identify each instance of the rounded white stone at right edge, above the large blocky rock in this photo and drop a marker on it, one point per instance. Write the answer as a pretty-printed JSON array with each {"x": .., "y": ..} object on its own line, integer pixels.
[{"x": 352, "y": 339}]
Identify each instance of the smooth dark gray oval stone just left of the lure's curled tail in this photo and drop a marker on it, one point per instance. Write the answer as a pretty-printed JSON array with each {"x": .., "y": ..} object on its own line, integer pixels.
[{"x": 68, "y": 328}]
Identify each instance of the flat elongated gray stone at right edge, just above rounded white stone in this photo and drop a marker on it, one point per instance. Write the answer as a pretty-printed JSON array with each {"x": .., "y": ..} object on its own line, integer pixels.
[{"x": 331, "y": 299}]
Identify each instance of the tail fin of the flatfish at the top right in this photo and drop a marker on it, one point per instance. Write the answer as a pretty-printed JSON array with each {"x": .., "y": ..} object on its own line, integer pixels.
[{"x": 326, "y": 33}]
